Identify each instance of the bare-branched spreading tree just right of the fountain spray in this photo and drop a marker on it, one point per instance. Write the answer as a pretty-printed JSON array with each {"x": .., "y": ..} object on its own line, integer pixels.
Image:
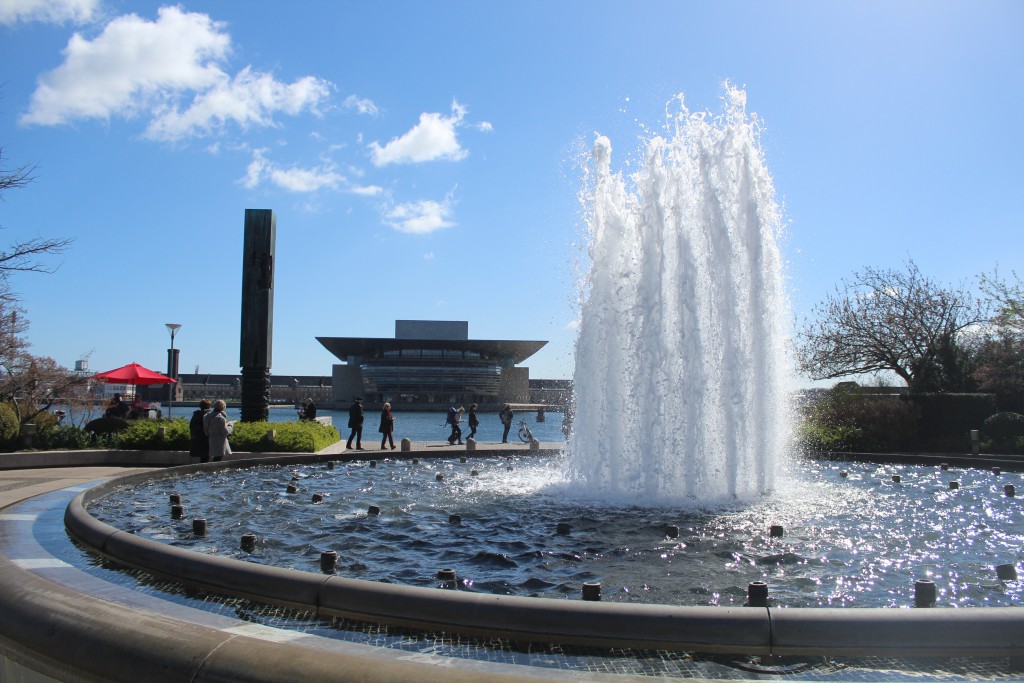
[{"x": 892, "y": 320}]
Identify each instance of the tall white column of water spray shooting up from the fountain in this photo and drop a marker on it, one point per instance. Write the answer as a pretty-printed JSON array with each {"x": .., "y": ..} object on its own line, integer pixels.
[{"x": 681, "y": 372}]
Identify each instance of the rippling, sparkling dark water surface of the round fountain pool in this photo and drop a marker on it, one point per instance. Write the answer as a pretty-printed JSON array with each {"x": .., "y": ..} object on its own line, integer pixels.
[{"x": 855, "y": 541}]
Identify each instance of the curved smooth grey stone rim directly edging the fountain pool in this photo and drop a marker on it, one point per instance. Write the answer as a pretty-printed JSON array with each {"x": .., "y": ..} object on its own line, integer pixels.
[{"x": 823, "y": 631}]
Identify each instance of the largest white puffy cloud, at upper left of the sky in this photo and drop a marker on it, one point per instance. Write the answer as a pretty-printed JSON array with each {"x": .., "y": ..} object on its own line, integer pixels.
[{"x": 136, "y": 67}]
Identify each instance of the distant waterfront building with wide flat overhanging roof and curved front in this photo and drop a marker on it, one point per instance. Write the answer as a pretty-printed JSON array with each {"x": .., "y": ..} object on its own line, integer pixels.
[{"x": 431, "y": 362}]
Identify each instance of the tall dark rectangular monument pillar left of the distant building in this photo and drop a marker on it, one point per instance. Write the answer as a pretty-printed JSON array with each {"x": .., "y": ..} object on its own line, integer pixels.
[{"x": 258, "y": 314}]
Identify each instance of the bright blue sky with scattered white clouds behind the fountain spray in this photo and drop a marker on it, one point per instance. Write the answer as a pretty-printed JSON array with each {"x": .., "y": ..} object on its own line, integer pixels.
[{"x": 423, "y": 158}]
